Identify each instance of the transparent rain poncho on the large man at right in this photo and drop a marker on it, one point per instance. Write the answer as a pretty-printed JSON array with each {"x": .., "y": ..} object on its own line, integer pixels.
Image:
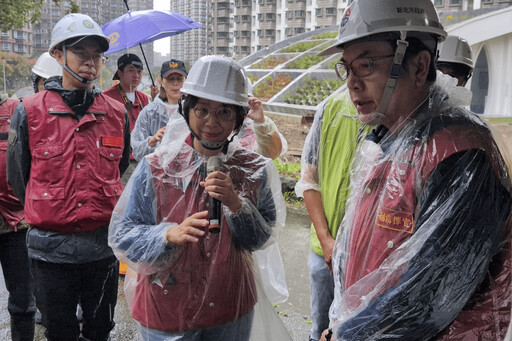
[{"x": 424, "y": 248}]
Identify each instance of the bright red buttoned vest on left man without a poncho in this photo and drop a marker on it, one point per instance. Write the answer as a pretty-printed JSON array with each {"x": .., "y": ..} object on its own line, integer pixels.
[{"x": 74, "y": 179}]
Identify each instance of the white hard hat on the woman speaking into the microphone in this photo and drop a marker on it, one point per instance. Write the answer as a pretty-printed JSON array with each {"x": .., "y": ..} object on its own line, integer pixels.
[{"x": 217, "y": 78}]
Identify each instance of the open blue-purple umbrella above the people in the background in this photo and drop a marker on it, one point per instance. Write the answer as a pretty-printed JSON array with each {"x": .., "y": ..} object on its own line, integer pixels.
[{"x": 140, "y": 27}]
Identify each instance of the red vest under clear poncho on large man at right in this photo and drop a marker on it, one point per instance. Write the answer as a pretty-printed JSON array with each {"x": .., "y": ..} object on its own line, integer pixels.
[{"x": 385, "y": 220}]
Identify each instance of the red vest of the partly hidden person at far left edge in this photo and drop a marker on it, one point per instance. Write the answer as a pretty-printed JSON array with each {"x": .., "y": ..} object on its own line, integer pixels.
[{"x": 10, "y": 207}]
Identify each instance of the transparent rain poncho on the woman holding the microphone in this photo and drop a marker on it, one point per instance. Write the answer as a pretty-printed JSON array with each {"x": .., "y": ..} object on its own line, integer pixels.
[{"x": 222, "y": 285}]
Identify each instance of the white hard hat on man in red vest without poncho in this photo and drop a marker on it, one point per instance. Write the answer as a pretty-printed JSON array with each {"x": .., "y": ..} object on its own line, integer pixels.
[{"x": 77, "y": 25}]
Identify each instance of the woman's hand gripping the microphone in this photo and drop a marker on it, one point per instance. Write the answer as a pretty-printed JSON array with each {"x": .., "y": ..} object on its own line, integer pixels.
[{"x": 219, "y": 186}]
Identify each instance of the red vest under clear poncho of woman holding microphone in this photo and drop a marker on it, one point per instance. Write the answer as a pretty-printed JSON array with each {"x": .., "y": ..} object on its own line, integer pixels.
[{"x": 211, "y": 282}]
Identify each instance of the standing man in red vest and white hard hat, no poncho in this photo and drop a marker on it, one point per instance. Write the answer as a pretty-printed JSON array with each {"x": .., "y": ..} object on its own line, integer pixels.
[{"x": 68, "y": 146}]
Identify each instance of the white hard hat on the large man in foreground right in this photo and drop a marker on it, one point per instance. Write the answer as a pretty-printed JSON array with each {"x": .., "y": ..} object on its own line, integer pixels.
[{"x": 364, "y": 18}]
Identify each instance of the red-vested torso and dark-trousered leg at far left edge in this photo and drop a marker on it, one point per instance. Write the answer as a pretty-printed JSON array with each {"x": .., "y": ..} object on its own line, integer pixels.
[{"x": 13, "y": 247}]
